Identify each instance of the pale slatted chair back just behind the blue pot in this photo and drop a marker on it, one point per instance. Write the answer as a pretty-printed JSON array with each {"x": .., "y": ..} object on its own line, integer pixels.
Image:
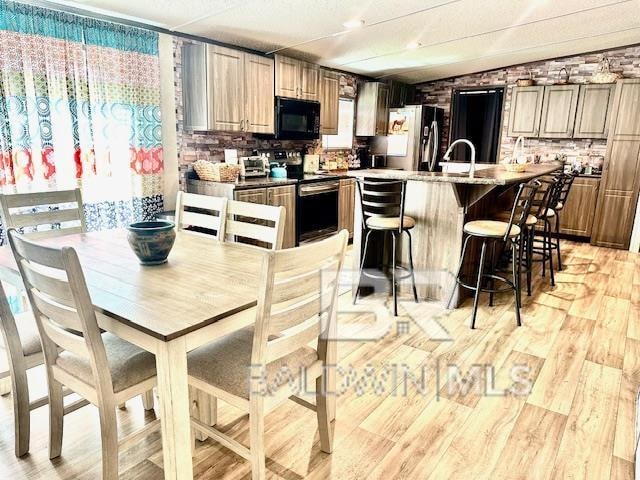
[{"x": 205, "y": 213}]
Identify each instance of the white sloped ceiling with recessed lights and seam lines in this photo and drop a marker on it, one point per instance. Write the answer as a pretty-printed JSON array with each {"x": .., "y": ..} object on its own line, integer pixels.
[{"x": 449, "y": 37}]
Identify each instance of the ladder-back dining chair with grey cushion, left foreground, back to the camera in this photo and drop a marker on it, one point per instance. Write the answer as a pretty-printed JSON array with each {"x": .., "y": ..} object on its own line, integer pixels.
[{"x": 100, "y": 367}]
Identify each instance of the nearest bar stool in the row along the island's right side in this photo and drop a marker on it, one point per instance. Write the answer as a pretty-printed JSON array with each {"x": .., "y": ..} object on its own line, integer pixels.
[{"x": 490, "y": 232}]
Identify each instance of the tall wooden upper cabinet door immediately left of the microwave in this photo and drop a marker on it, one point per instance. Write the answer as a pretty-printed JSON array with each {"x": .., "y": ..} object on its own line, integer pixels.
[{"x": 259, "y": 90}]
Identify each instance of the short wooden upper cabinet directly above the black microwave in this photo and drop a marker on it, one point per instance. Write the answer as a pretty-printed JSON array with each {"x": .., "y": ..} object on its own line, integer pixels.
[{"x": 297, "y": 79}]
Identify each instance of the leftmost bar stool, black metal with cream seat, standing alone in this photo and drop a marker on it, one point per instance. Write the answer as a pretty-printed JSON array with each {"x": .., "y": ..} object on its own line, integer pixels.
[{"x": 382, "y": 203}]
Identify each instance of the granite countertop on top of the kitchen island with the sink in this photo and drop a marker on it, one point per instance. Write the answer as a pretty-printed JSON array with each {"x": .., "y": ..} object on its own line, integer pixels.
[{"x": 494, "y": 175}]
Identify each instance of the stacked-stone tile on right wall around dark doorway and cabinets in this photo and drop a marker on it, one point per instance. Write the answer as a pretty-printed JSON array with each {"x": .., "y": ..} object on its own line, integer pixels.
[{"x": 625, "y": 61}]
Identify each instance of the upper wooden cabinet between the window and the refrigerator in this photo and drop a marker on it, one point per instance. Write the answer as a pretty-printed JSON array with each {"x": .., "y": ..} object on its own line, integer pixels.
[{"x": 372, "y": 109}]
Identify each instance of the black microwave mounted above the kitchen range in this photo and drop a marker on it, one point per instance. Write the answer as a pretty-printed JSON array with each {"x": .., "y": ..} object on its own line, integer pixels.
[{"x": 297, "y": 119}]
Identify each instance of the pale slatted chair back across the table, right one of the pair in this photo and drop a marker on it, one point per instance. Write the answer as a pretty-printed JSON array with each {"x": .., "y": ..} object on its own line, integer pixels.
[{"x": 254, "y": 223}]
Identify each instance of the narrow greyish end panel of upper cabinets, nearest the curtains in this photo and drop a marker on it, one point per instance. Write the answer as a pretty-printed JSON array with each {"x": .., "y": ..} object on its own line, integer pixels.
[{"x": 194, "y": 86}]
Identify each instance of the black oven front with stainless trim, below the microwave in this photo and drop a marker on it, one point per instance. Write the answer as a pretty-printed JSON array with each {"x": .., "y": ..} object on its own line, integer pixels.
[{"x": 317, "y": 210}]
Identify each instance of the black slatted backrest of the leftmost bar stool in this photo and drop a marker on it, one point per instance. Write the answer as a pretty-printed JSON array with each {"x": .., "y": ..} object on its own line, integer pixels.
[{"x": 382, "y": 198}]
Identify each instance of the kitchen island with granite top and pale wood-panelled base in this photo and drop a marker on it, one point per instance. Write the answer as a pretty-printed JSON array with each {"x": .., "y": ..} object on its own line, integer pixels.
[{"x": 441, "y": 203}]
